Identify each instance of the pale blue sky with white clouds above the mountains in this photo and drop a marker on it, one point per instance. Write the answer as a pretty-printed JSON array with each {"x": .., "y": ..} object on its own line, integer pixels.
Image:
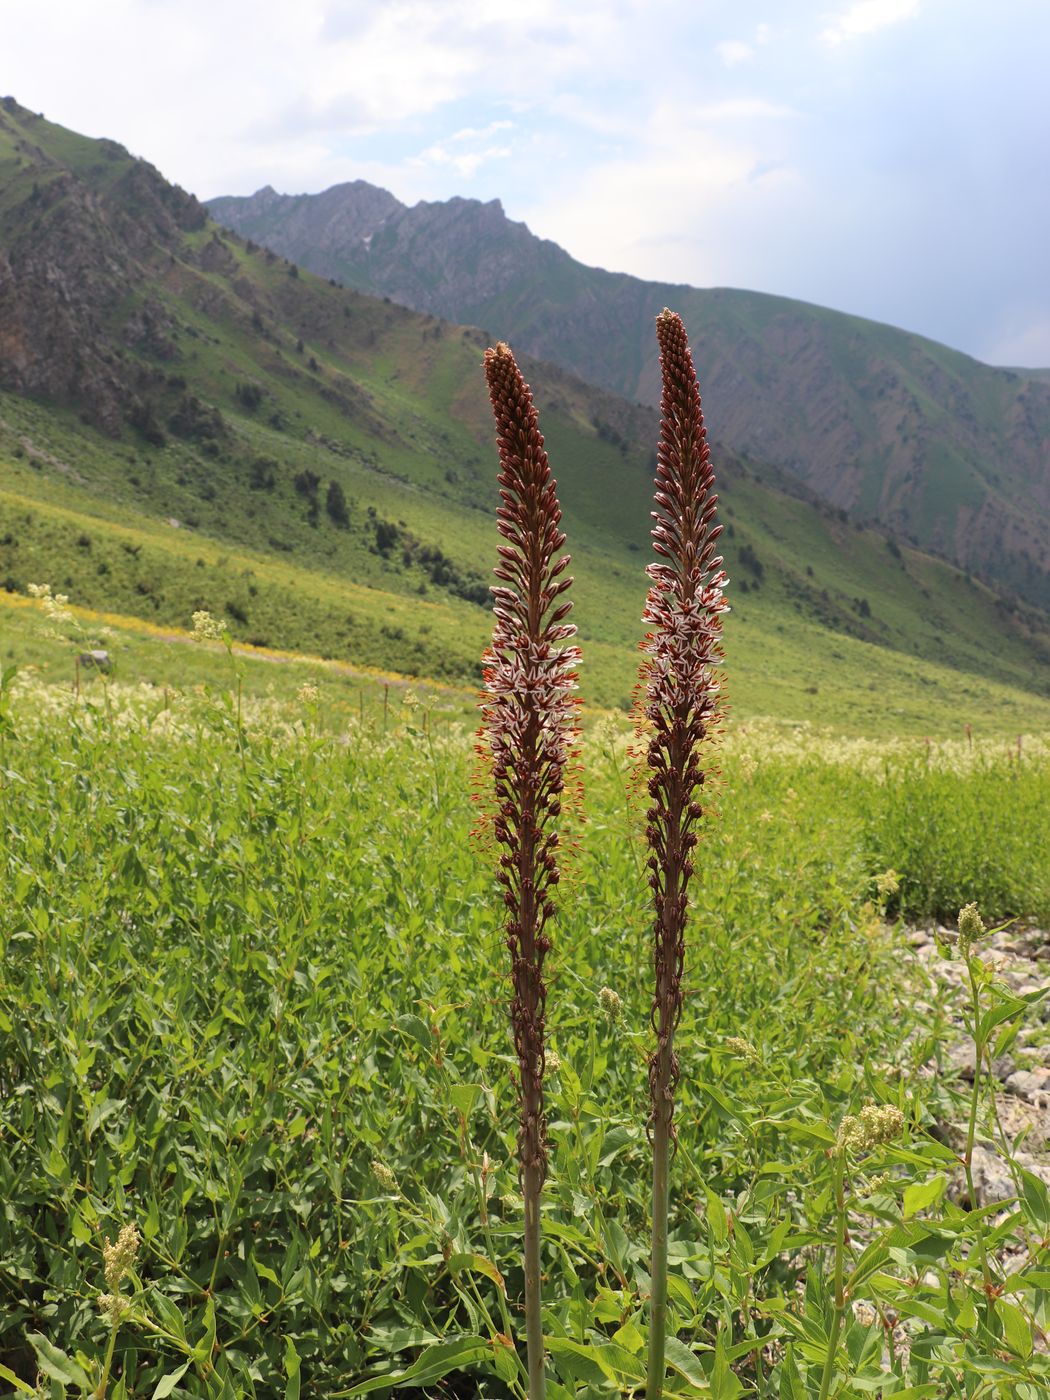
[{"x": 883, "y": 157}]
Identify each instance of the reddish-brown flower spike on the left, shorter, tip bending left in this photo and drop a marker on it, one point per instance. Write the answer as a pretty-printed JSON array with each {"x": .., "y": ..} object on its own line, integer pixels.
[{"x": 530, "y": 733}]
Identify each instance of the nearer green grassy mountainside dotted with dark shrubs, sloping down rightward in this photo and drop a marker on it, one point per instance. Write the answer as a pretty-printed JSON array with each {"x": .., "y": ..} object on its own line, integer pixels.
[{"x": 190, "y": 421}]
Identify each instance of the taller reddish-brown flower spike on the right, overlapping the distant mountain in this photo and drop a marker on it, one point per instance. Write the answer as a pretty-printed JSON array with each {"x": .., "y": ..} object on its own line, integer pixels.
[{"x": 680, "y": 703}]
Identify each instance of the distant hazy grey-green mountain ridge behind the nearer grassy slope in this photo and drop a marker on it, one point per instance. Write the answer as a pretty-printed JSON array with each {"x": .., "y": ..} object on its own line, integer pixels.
[{"x": 888, "y": 426}]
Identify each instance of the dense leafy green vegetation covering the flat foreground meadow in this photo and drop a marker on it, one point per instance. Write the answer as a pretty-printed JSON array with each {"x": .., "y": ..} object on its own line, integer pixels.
[{"x": 255, "y": 1002}]
